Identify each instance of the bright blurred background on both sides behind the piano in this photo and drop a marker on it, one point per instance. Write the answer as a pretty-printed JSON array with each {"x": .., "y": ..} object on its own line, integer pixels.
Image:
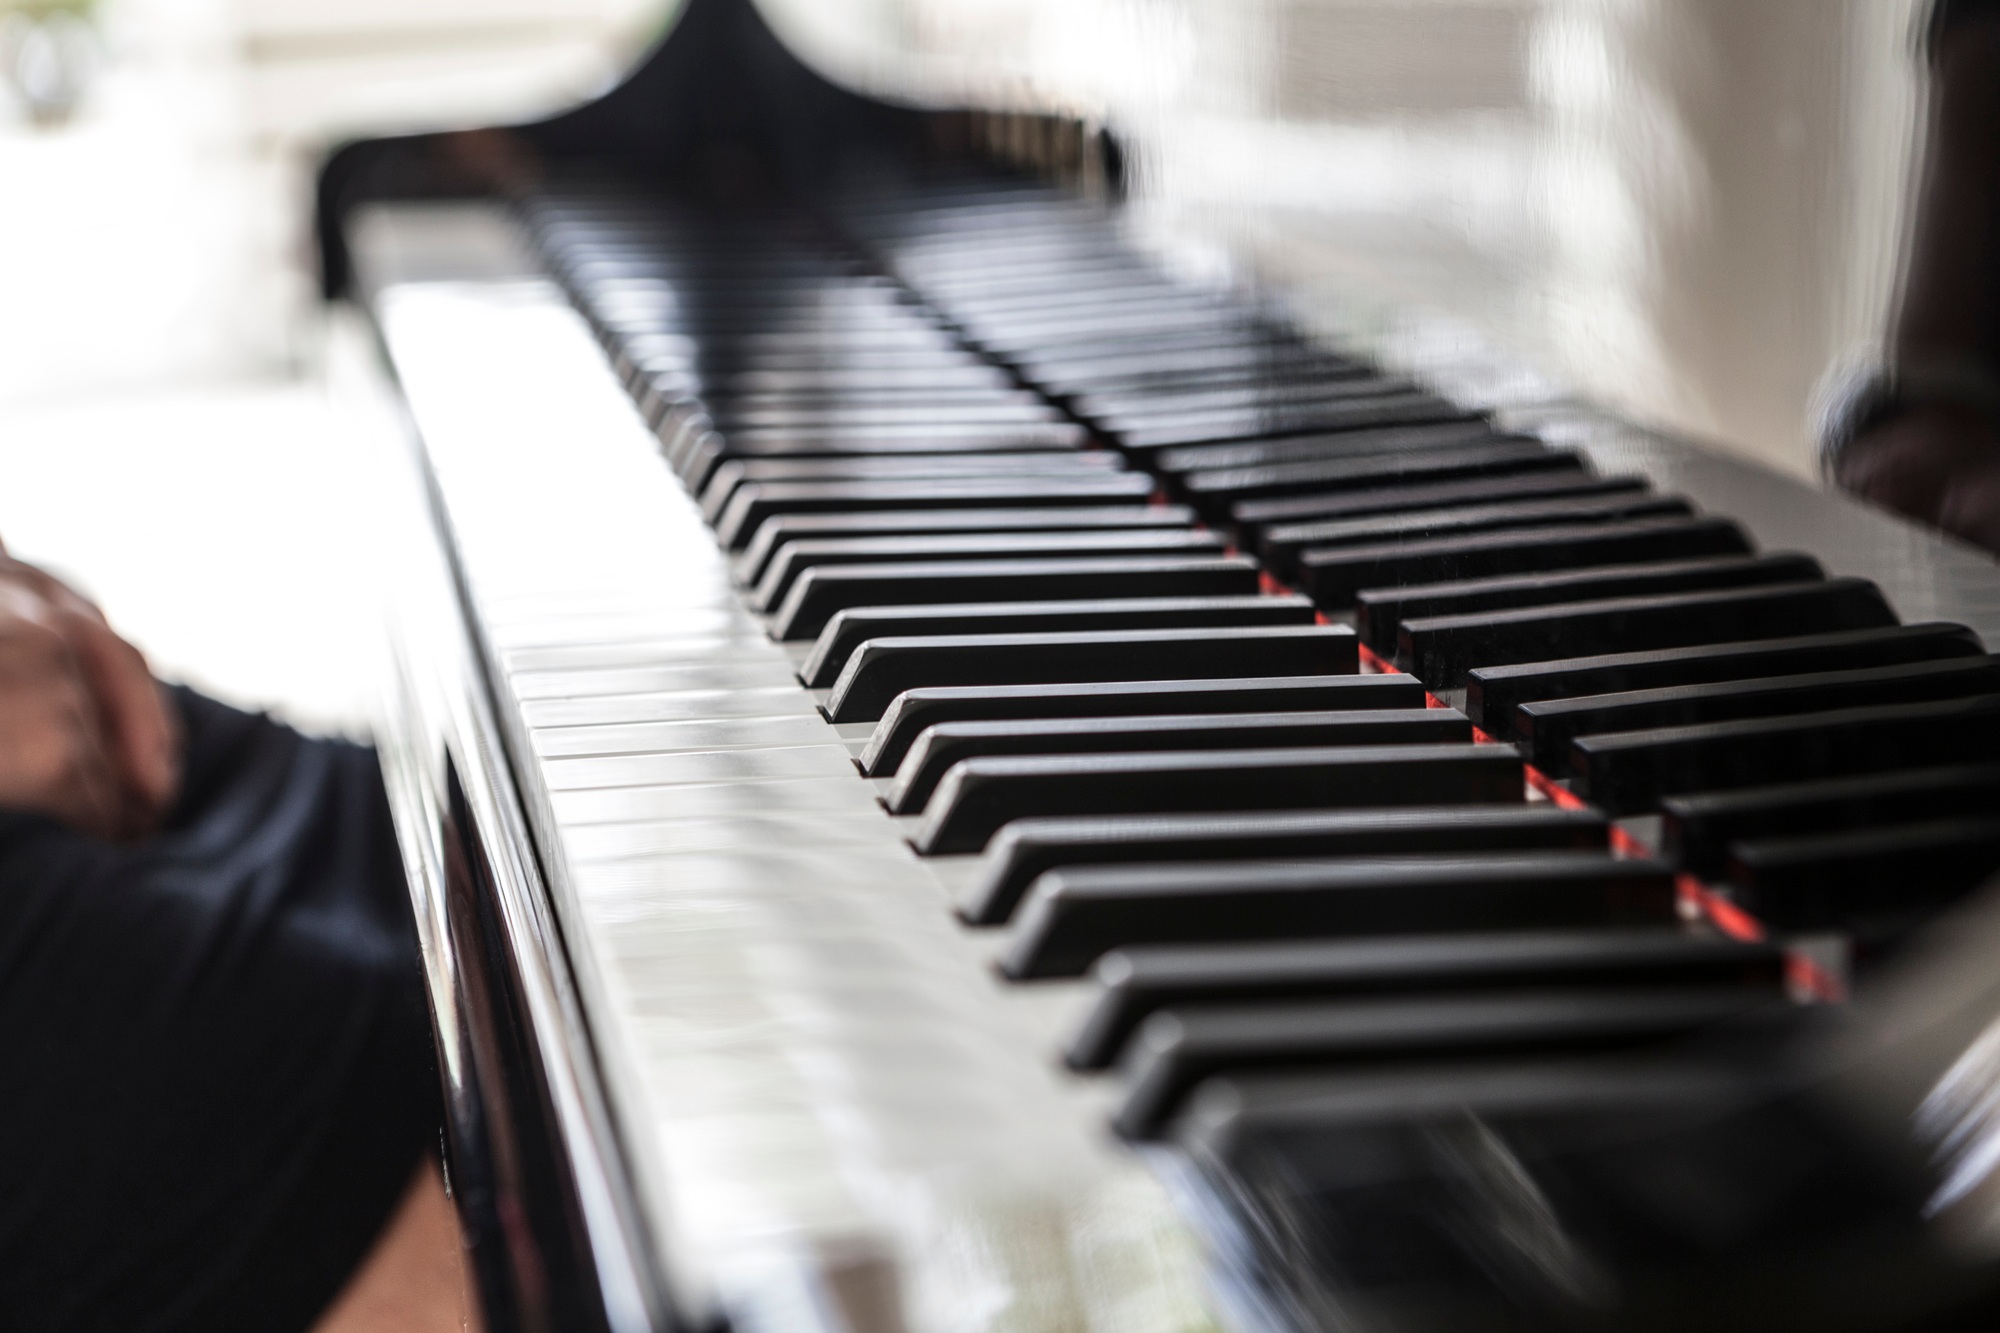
[{"x": 1687, "y": 209}]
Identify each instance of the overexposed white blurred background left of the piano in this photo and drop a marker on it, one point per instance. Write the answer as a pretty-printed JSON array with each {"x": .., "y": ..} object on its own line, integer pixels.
[{"x": 169, "y": 433}]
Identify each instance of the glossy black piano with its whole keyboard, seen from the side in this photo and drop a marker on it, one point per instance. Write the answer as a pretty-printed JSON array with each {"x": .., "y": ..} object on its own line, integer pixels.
[{"x": 957, "y": 780}]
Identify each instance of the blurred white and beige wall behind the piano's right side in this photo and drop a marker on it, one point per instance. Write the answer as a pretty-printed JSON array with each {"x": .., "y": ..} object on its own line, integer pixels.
[{"x": 1687, "y": 207}]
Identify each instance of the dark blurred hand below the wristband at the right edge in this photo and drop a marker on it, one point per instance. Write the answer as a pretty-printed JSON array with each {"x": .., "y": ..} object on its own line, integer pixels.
[{"x": 1937, "y": 465}]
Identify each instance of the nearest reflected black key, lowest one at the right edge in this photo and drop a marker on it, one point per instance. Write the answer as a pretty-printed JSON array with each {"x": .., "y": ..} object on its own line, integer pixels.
[{"x": 1891, "y": 876}]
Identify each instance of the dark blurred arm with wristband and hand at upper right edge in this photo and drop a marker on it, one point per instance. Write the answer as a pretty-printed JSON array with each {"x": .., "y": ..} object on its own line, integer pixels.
[{"x": 1929, "y": 441}]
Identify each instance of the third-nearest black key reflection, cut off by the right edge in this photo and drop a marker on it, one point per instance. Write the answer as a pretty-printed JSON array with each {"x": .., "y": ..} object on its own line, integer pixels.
[{"x": 1631, "y": 772}]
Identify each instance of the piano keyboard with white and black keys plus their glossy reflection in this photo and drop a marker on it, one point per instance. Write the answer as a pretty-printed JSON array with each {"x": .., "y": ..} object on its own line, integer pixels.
[{"x": 1101, "y": 724}]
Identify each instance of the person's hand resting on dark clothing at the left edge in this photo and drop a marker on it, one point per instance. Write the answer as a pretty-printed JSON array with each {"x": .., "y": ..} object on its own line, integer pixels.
[{"x": 85, "y": 734}]
